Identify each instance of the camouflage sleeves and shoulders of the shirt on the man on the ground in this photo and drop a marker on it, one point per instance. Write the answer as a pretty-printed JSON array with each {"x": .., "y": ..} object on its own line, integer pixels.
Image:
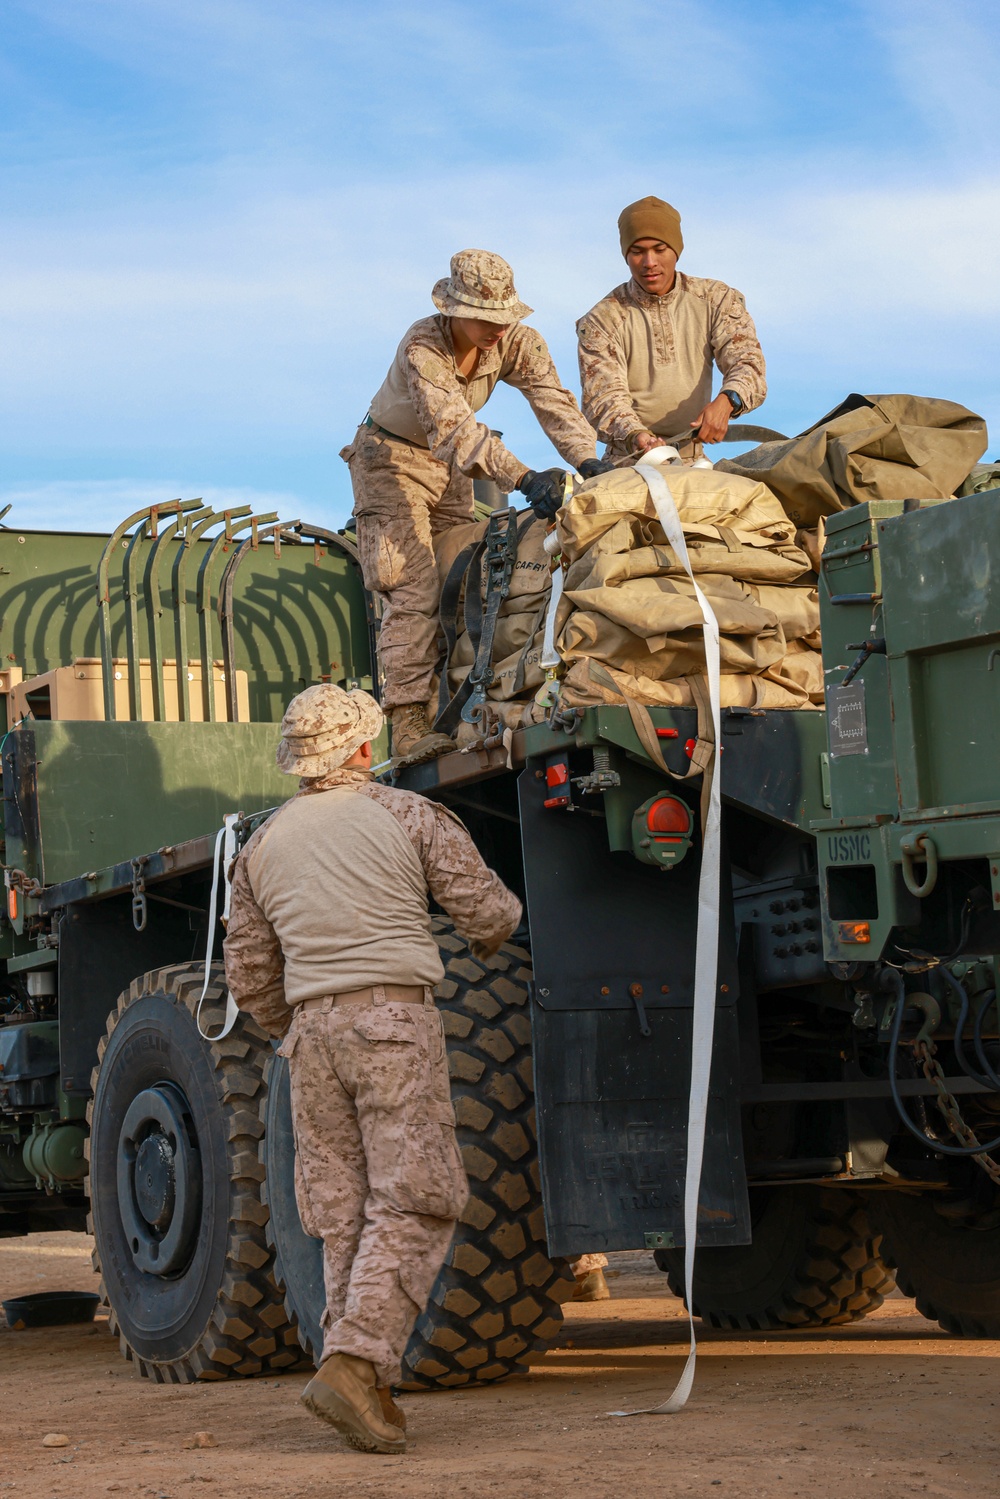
[{"x": 476, "y": 899}]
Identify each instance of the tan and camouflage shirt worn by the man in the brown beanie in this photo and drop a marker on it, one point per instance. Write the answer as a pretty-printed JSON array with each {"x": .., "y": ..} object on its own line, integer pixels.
[{"x": 647, "y": 362}]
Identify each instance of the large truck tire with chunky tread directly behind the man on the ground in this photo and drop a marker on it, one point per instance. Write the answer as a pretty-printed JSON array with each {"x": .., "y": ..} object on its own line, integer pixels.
[{"x": 499, "y": 1297}]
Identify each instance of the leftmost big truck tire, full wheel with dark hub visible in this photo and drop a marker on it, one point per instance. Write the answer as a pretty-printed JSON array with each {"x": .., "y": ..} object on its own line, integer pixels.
[{"x": 176, "y": 1188}]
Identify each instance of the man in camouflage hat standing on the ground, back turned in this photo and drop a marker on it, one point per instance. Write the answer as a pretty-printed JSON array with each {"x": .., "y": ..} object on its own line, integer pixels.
[{"x": 331, "y": 947}]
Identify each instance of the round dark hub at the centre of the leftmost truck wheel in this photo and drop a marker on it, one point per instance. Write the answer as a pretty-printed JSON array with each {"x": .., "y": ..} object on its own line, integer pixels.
[{"x": 160, "y": 1180}]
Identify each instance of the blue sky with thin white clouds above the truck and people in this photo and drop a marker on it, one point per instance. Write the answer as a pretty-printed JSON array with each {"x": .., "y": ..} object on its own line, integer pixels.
[{"x": 220, "y": 217}]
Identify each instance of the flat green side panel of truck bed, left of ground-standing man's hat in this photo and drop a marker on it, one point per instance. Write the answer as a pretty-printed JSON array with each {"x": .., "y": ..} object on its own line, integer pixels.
[{"x": 112, "y": 792}]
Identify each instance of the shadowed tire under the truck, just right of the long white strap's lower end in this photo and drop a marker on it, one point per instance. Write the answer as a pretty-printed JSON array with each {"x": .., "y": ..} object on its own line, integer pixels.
[{"x": 813, "y": 1263}]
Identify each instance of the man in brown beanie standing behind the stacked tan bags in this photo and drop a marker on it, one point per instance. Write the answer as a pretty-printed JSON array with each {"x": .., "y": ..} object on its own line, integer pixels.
[{"x": 647, "y": 350}]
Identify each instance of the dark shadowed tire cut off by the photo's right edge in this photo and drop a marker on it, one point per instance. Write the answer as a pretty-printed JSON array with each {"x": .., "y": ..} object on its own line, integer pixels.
[{"x": 951, "y": 1269}]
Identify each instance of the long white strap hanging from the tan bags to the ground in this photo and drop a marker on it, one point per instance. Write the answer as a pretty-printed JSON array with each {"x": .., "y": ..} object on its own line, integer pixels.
[{"x": 707, "y": 945}]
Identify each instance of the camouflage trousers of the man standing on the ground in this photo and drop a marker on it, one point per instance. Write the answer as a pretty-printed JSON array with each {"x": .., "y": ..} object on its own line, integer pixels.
[{"x": 379, "y": 1173}]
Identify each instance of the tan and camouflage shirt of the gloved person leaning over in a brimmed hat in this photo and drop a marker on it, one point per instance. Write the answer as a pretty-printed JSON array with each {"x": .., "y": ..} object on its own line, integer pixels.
[{"x": 427, "y": 401}]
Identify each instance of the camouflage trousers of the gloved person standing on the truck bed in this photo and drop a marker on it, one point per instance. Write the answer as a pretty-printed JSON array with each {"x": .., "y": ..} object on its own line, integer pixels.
[{"x": 404, "y": 498}]
